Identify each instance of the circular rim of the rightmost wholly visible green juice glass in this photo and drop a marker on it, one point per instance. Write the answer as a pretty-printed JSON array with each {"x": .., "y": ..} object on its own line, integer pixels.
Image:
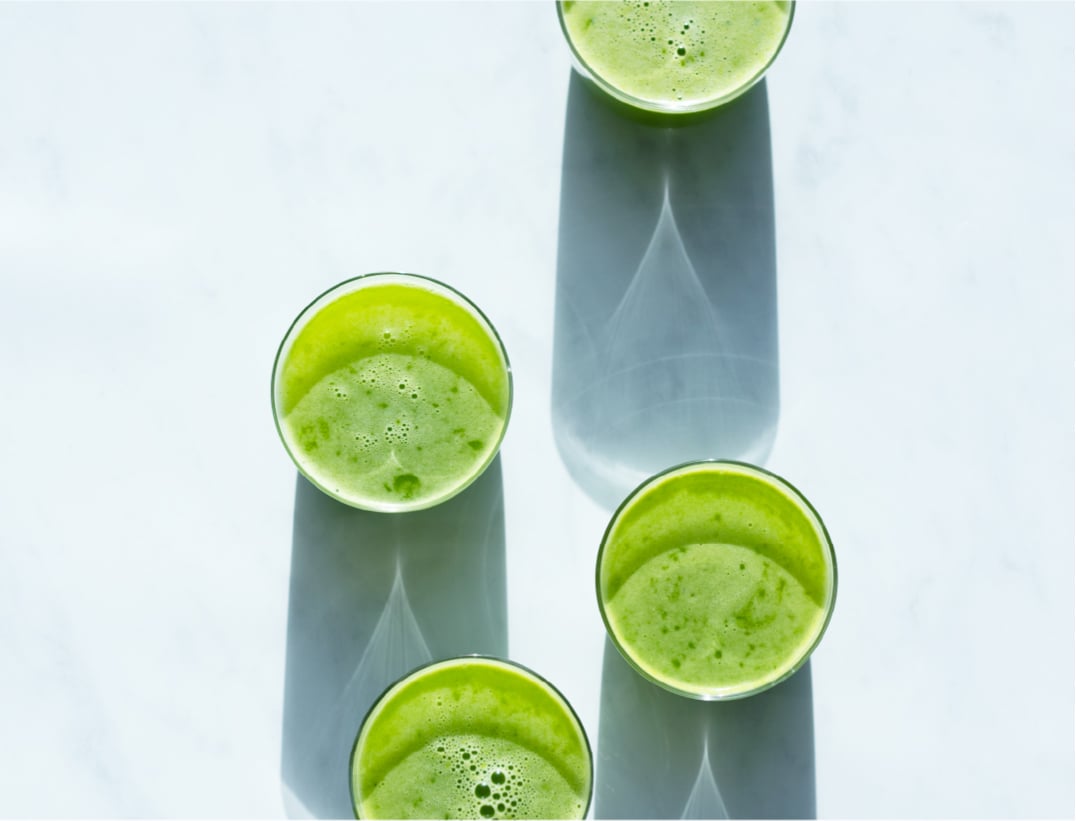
[{"x": 798, "y": 498}]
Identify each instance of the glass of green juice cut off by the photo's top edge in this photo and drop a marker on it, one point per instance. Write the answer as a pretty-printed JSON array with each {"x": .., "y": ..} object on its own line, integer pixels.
[{"x": 675, "y": 55}]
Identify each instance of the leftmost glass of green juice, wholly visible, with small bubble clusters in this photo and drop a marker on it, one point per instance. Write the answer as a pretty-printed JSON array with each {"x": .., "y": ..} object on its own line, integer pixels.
[{"x": 392, "y": 392}]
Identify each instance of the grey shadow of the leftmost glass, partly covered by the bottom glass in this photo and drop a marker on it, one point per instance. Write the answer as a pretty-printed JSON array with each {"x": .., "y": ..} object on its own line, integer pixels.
[{"x": 373, "y": 597}]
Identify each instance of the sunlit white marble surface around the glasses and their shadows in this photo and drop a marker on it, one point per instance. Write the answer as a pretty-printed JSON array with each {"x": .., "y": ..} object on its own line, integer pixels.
[{"x": 178, "y": 180}]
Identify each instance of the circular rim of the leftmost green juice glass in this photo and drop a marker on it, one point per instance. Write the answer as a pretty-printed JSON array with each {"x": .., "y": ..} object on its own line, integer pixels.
[{"x": 356, "y": 284}]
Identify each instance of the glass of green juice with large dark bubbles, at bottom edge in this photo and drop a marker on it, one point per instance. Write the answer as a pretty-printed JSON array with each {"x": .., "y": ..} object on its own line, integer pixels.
[{"x": 472, "y": 738}]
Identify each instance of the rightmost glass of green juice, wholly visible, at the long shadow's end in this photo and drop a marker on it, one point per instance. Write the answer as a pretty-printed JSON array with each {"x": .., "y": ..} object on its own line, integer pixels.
[{"x": 716, "y": 581}]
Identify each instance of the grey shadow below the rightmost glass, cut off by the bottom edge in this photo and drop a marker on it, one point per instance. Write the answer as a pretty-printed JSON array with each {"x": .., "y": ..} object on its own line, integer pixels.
[{"x": 663, "y": 756}]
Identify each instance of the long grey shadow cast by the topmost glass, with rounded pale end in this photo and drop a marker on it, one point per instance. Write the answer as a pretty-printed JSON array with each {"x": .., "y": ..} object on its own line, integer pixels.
[{"x": 666, "y": 335}]
